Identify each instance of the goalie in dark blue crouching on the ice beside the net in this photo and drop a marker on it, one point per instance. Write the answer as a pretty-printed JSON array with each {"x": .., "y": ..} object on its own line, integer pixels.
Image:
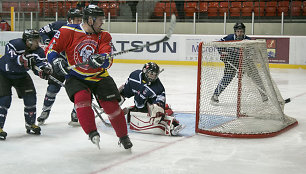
[{"x": 150, "y": 114}]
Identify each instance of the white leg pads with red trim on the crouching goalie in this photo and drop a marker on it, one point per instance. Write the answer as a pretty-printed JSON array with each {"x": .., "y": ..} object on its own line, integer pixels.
[{"x": 156, "y": 121}]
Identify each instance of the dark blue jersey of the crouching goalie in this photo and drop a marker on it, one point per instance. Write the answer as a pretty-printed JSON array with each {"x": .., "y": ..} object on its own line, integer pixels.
[{"x": 142, "y": 92}]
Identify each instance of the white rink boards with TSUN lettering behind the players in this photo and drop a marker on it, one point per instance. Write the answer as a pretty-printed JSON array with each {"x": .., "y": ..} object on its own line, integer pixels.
[{"x": 177, "y": 48}]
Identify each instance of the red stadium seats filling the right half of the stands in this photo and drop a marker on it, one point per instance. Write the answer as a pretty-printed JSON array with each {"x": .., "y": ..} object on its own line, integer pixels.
[{"x": 234, "y": 8}]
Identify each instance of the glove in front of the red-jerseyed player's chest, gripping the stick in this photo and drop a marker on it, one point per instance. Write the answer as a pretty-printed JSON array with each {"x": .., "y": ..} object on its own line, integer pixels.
[{"x": 100, "y": 60}]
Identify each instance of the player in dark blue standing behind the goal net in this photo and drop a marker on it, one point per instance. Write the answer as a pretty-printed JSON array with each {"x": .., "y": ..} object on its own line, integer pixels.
[{"x": 230, "y": 57}]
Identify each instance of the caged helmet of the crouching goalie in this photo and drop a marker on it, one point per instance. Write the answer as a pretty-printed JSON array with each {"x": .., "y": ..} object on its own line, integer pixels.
[{"x": 150, "y": 71}]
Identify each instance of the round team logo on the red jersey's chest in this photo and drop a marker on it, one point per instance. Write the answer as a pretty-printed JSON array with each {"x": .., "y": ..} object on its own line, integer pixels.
[{"x": 83, "y": 50}]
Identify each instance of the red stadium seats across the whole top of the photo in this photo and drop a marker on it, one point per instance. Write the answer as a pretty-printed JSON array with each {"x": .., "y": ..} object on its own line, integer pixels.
[{"x": 211, "y": 8}]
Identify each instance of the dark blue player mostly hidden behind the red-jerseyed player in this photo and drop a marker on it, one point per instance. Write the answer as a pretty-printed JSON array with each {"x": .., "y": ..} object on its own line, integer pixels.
[{"x": 74, "y": 17}]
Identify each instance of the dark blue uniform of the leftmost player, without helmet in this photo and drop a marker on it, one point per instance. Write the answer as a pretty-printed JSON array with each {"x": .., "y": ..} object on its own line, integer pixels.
[{"x": 14, "y": 74}]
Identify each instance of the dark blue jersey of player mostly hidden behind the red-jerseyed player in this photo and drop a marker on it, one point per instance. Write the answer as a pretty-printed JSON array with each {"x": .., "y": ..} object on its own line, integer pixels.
[{"x": 47, "y": 32}]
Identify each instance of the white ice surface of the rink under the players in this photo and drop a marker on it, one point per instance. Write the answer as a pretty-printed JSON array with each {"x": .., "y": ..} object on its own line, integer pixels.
[{"x": 62, "y": 149}]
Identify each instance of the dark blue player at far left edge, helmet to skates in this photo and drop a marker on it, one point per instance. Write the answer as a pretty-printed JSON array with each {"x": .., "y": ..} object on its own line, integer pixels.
[{"x": 21, "y": 55}]
